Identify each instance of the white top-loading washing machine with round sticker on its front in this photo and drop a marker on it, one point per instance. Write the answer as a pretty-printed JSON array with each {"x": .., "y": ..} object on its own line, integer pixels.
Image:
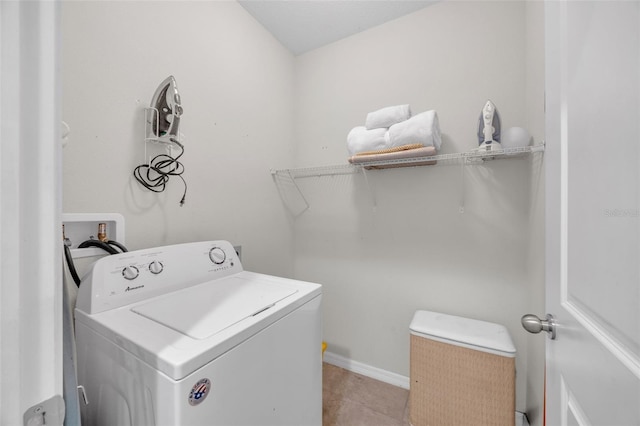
[{"x": 181, "y": 335}]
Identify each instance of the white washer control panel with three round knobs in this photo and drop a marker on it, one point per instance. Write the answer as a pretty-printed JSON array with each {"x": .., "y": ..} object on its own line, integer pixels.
[{"x": 121, "y": 279}]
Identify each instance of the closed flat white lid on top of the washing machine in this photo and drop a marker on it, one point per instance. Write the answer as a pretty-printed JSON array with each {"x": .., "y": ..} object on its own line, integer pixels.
[{"x": 206, "y": 309}]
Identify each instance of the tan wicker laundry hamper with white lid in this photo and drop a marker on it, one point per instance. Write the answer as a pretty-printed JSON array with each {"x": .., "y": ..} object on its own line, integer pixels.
[{"x": 462, "y": 372}]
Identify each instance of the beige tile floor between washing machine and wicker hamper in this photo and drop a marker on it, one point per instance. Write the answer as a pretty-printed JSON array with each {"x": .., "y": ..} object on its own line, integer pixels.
[{"x": 350, "y": 399}]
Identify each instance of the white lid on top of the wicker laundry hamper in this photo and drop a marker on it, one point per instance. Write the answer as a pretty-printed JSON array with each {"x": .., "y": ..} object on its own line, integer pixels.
[{"x": 480, "y": 335}]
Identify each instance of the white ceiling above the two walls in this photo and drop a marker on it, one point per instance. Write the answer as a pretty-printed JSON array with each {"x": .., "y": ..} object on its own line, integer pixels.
[{"x": 303, "y": 25}]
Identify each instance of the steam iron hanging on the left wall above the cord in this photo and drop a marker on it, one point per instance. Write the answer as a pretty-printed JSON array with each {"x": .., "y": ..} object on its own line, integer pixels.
[{"x": 166, "y": 101}]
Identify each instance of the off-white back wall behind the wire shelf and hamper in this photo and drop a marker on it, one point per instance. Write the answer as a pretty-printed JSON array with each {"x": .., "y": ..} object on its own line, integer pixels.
[{"x": 415, "y": 251}]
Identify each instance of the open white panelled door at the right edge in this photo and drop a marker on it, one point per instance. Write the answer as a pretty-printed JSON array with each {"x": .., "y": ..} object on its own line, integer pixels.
[{"x": 593, "y": 212}]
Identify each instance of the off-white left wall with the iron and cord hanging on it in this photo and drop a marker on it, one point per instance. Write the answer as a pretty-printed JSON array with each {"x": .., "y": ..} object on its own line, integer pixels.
[{"x": 236, "y": 86}]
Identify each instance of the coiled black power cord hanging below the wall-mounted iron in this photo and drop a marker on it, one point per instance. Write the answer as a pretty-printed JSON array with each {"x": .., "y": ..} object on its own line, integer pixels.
[{"x": 159, "y": 170}]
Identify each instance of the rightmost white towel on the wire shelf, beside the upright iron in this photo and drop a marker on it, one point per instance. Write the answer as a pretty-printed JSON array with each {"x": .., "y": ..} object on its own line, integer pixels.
[{"x": 422, "y": 128}]
